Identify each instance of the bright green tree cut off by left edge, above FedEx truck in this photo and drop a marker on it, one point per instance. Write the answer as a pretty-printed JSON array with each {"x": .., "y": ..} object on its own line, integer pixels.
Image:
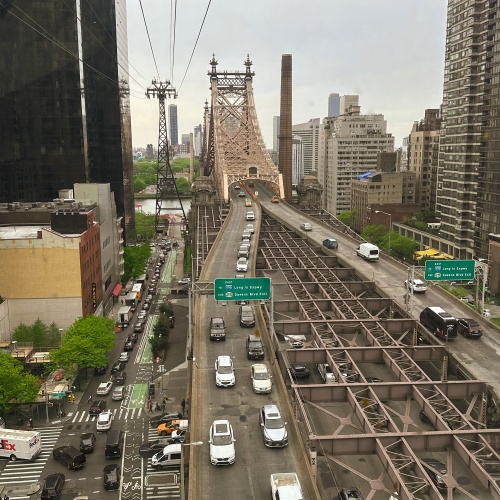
[{"x": 16, "y": 385}]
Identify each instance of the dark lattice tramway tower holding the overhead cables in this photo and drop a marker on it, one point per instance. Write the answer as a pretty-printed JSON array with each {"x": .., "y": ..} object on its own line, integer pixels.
[{"x": 165, "y": 179}]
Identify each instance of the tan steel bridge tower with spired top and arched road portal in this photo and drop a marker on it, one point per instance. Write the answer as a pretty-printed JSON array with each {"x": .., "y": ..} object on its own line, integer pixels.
[{"x": 235, "y": 140}]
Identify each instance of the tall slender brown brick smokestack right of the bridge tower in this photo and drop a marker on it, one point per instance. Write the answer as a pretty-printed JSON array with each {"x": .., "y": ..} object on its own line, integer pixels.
[{"x": 285, "y": 136}]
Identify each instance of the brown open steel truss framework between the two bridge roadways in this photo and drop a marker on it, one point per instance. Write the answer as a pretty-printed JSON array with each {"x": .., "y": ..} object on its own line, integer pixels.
[{"x": 336, "y": 311}]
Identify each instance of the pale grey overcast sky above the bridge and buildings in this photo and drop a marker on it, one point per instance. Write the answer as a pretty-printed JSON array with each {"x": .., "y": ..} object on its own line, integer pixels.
[{"x": 389, "y": 52}]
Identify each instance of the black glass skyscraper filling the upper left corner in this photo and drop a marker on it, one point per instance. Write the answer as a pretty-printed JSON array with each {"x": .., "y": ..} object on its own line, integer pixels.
[{"x": 64, "y": 107}]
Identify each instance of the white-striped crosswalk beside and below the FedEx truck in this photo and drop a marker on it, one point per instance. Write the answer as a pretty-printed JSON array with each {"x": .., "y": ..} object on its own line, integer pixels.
[{"x": 23, "y": 472}]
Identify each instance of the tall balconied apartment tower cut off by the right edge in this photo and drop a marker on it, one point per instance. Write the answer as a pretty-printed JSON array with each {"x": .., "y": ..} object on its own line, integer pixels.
[{"x": 468, "y": 194}]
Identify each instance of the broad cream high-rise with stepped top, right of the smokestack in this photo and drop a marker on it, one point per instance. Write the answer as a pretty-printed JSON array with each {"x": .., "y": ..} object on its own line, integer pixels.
[{"x": 352, "y": 143}]
